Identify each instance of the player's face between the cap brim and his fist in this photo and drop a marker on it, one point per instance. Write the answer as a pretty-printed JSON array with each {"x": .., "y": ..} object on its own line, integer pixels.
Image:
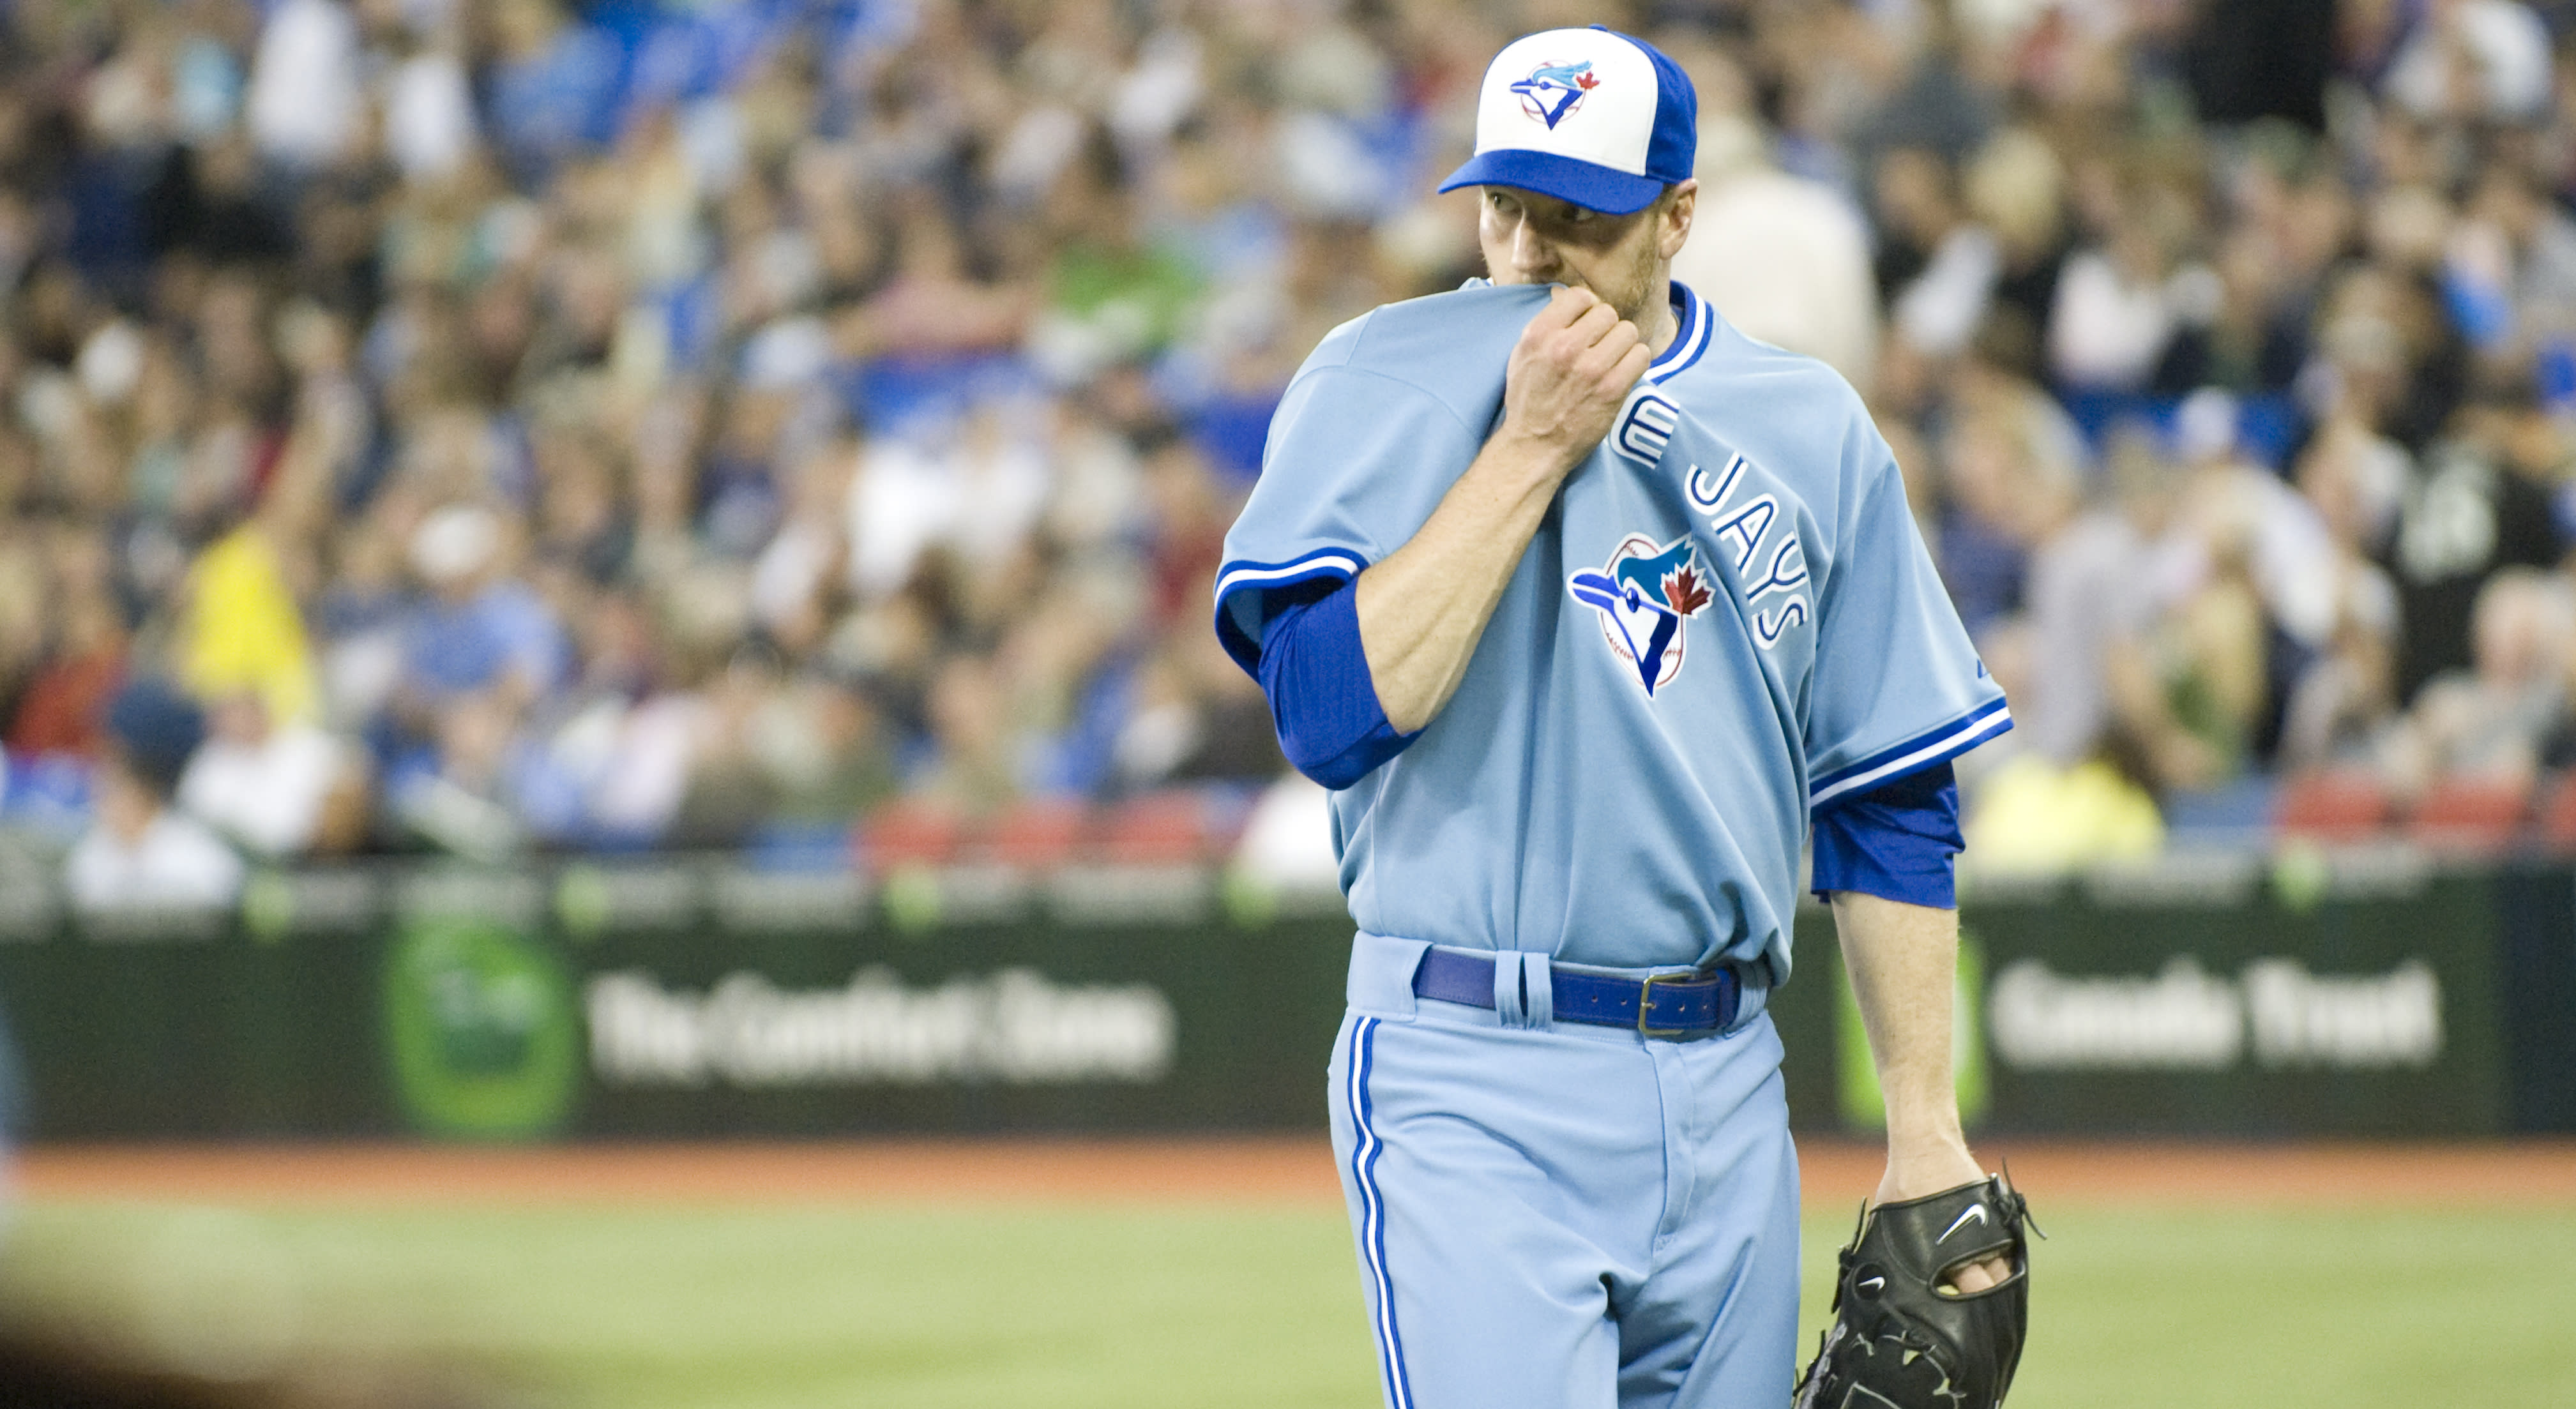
[{"x": 1534, "y": 238}]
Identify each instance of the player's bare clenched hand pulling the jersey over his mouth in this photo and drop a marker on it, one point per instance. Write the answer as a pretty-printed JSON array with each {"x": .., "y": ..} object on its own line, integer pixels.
[{"x": 1570, "y": 375}]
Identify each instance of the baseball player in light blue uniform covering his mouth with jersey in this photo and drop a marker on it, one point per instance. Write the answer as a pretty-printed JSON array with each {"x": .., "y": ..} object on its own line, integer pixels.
[{"x": 1588, "y": 607}]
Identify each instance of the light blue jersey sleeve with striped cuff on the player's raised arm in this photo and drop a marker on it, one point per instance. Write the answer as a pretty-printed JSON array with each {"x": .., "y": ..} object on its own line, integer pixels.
[{"x": 1354, "y": 465}]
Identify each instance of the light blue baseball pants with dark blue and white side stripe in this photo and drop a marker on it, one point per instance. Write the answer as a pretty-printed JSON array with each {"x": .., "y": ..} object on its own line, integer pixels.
[{"x": 1557, "y": 1215}]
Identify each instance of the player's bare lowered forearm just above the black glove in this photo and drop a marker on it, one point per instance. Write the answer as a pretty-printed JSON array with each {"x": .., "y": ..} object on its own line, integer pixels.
[{"x": 1902, "y": 962}]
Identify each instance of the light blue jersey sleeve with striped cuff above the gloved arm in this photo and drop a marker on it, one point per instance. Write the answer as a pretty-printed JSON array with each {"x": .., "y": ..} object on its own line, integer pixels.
[{"x": 1897, "y": 686}]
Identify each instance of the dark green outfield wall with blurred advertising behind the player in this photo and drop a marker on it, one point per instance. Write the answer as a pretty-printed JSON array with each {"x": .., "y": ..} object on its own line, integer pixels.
[{"x": 2317, "y": 993}]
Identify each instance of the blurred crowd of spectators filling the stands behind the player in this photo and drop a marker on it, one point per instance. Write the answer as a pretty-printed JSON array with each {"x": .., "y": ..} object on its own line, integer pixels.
[{"x": 501, "y": 426}]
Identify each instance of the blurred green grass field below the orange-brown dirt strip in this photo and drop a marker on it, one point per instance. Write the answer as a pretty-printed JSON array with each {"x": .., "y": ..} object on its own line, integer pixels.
[{"x": 1191, "y": 1307}]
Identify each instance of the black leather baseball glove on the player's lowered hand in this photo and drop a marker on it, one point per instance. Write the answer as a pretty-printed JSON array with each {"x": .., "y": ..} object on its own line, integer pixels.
[{"x": 1900, "y": 1341}]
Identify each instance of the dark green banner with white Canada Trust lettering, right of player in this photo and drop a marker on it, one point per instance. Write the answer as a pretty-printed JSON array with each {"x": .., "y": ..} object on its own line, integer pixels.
[{"x": 2204, "y": 998}]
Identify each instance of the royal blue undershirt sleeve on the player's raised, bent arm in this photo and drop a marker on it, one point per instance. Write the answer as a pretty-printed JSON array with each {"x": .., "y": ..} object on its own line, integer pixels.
[{"x": 1323, "y": 702}]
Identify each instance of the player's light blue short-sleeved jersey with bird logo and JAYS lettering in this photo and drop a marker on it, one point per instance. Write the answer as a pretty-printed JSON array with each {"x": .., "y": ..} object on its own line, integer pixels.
[{"x": 1725, "y": 619}]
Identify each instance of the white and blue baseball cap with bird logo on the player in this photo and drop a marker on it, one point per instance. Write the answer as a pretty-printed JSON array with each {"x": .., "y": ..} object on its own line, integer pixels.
[{"x": 1583, "y": 115}]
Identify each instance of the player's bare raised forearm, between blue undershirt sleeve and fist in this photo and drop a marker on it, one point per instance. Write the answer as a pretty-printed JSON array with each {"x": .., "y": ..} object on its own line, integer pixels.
[{"x": 1423, "y": 609}]
